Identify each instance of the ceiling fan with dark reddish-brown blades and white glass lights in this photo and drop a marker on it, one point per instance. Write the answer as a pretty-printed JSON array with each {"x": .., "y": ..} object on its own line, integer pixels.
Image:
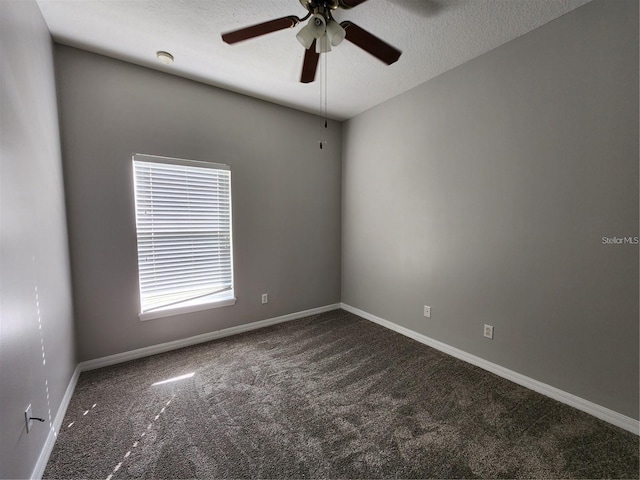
[{"x": 320, "y": 33}]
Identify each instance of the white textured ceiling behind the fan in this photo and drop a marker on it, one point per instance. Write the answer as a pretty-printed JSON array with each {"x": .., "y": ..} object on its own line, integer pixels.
[{"x": 434, "y": 36}]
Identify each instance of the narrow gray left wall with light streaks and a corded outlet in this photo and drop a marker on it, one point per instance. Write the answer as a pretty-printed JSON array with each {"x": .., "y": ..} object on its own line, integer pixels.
[{"x": 35, "y": 300}]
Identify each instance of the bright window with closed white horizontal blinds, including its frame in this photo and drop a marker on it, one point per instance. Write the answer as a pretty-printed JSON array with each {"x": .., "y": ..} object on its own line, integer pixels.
[{"x": 183, "y": 224}]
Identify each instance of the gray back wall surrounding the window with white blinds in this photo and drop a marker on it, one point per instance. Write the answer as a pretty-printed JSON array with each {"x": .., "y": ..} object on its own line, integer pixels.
[{"x": 286, "y": 196}]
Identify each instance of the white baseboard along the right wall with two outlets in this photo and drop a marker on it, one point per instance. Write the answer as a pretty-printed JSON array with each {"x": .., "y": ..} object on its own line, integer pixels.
[{"x": 591, "y": 408}]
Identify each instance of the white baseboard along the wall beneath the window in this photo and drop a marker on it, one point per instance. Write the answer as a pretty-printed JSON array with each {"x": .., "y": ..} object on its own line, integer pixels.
[{"x": 205, "y": 337}]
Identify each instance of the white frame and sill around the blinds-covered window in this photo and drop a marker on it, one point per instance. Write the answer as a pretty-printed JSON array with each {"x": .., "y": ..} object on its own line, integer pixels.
[{"x": 210, "y": 301}]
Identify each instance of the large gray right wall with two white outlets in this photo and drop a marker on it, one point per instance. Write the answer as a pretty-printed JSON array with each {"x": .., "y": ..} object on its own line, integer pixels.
[{"x": 485, "y": 192}]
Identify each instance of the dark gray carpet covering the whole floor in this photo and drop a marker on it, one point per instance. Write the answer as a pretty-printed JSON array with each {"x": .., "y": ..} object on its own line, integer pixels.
[{"x": 328, "y": 396}]
